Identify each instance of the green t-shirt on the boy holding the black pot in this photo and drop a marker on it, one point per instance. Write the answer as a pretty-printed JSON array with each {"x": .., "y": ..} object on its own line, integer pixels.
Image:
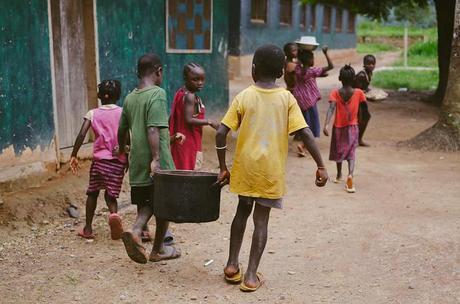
[{"x": 143, "y": 109}]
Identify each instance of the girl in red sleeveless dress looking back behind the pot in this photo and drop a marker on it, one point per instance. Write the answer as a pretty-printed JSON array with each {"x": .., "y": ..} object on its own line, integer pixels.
[{"x": 188, "y": 118}]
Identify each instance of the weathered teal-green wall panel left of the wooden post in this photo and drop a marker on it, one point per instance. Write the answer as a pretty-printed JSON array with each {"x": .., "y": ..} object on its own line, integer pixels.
[{"x": 26, "y": 103}]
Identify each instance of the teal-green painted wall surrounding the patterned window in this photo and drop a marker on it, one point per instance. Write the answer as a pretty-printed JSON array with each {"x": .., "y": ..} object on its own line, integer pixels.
[{"x": 129, "y": 28}]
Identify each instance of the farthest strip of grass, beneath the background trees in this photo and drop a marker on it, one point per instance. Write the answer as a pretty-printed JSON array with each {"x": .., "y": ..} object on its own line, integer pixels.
[{"x": 374, "y": 28}]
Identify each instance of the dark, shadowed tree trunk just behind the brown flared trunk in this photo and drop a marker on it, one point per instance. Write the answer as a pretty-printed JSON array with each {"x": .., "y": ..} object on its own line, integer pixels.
[{"x": 445, "y": 20}]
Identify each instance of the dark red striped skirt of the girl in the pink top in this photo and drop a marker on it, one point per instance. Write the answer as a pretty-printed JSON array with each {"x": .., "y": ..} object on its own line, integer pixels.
[{"x": 106, "y": 174}]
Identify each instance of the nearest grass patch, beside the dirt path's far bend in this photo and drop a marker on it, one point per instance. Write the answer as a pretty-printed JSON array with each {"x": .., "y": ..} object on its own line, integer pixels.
[{"x": 413, "y": 80}]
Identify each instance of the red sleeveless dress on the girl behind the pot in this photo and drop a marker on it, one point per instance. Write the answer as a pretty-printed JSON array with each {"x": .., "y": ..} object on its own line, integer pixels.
[{"x": 184, "y": 155}]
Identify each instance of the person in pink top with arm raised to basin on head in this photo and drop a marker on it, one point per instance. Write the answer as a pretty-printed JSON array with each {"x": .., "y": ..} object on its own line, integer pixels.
[{"x": 306, "y": 89}]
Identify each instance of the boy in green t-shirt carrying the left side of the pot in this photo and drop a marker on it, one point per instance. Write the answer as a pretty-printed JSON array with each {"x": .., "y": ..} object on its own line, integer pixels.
[{"x": 145, "y": 117}]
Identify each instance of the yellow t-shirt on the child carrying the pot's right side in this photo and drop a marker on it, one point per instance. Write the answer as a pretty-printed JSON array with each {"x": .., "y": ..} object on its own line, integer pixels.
[{"x": 264, "y": 119}]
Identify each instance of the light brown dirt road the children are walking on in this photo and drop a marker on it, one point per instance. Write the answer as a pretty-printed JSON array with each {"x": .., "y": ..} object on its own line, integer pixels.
[{"x": 396, "y": 240}]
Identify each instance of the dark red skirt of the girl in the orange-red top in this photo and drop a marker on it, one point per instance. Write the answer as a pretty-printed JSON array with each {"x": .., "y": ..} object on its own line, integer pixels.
[{"x": 343, "y": 143}]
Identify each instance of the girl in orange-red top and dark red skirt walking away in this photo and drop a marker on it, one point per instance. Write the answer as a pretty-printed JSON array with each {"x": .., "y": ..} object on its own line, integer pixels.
[{"x": 345, "y": 102}]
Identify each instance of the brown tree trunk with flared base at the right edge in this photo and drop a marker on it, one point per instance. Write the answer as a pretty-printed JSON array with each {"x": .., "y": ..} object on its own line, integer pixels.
[{"x": 445, "y": 134}]
